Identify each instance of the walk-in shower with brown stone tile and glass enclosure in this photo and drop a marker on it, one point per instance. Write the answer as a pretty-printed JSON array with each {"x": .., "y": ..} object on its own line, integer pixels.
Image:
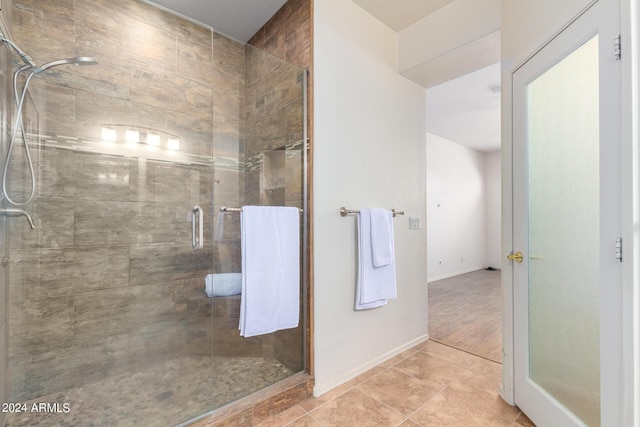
[{"x": 107, "y": 315}]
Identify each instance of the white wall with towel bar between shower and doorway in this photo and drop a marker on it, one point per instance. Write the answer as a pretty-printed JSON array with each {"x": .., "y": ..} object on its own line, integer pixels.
[{"x": 369, "y": 151}]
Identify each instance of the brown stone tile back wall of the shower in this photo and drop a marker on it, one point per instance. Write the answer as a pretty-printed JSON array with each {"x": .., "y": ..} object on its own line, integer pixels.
[{"x": 108, "y": 281}]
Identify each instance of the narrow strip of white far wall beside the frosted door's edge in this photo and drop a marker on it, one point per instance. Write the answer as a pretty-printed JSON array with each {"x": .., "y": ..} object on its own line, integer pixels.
[{"x": 493, "y": 219}]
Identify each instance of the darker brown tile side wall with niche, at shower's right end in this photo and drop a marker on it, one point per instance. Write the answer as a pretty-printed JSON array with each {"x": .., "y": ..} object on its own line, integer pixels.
[{"x": 287, "y": 36}]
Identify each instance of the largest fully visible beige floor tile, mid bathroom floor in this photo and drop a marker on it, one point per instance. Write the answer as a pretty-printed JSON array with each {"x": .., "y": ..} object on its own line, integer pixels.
[{"x": 400, "y": 391}]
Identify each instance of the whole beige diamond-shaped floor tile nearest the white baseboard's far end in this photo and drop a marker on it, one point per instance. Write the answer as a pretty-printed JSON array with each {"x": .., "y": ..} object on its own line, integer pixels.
[{"x": 434, "y": 370}]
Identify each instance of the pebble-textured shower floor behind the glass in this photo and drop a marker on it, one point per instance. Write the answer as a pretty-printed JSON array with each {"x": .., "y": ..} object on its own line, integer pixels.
[{"x": 163, "y": 394}]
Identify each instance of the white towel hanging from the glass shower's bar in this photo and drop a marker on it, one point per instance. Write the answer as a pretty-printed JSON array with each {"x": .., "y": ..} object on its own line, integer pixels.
[{"x": 270, "y": 246}]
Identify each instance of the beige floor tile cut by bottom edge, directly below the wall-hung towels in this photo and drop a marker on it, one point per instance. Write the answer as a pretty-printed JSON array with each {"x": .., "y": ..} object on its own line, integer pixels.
[{"x": 355, "y": 408}]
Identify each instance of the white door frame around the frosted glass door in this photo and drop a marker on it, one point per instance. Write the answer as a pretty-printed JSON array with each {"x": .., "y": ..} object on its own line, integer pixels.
[{"x": 624, "y": 408}]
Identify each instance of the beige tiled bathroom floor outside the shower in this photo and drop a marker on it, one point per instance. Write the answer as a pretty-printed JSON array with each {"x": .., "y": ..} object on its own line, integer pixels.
[{"x": 429, "y": 385}]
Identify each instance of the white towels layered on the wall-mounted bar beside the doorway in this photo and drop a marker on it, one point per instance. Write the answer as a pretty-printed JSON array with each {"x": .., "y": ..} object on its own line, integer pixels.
[{"x": 375, "y": 285}]
